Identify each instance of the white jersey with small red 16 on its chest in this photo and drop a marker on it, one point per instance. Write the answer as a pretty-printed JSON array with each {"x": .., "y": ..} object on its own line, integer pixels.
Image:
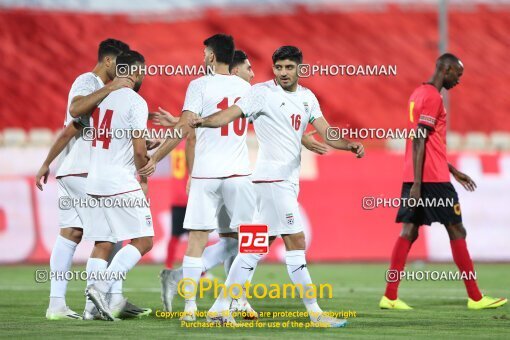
[{"x": 280, "y": 118}]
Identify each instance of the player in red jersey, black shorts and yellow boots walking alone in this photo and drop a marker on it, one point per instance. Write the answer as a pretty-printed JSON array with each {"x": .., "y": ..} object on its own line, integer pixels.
[{"x": 427, "y": 177}]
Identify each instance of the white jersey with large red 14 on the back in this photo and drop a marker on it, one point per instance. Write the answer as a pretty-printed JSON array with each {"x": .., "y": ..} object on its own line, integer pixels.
[{"x": 112, "y": 168}]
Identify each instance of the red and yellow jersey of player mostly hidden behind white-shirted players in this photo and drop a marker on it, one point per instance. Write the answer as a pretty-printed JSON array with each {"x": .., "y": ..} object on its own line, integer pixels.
[{"x": 179, "y": 175}]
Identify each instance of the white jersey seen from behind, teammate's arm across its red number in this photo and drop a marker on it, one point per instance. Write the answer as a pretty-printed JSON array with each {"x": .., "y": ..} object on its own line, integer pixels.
[{"x": 220, "y": 152}]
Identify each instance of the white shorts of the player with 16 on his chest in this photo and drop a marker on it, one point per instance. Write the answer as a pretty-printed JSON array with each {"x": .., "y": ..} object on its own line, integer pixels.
[{"x": 278, "y": 208}]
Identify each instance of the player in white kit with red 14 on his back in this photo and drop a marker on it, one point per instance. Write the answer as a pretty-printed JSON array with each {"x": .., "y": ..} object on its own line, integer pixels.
[{"x": 118, "y": 151}]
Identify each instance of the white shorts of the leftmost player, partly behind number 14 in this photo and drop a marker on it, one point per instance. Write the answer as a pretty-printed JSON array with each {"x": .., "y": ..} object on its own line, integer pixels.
[{"x": 69, "y": 189}]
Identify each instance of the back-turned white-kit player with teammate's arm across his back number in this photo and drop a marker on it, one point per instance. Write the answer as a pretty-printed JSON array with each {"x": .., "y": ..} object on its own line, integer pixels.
[{"x": 219, "y": 166}]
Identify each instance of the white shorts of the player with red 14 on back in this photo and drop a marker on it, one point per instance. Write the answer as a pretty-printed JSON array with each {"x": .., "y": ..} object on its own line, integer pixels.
[{"x": 125, "y": 222}]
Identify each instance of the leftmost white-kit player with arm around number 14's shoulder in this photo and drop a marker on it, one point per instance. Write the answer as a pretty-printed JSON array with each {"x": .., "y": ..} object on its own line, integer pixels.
[{"x": 86, "y": 92}]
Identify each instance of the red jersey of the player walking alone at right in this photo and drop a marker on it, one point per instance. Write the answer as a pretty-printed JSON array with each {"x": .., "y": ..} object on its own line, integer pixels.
[{"x": 426, "y": 108}]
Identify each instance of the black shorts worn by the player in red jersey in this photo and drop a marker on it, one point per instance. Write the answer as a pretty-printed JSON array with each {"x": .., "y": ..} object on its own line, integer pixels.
[{"x": 439, "y": 203}]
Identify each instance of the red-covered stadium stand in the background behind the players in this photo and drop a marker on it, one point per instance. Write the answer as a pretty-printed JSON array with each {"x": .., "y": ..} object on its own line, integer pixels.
[{"x": 45, "y": 65}]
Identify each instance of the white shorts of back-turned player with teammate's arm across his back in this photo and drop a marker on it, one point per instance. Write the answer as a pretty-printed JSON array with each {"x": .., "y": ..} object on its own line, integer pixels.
[{"x": 207, "y": 196}]
